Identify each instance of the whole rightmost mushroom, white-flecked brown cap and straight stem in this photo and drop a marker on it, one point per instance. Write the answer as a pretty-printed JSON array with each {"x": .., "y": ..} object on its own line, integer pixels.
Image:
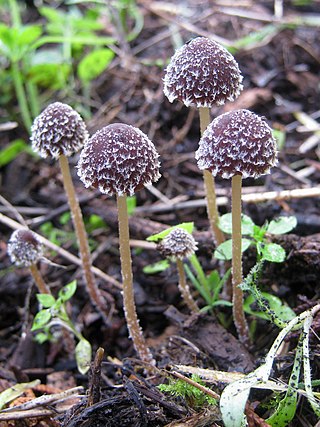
[{"x": 237, "y": 145}]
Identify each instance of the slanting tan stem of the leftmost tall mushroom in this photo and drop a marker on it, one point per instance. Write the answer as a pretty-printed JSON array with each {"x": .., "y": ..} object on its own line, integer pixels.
[{"x": 94, "y": 292}]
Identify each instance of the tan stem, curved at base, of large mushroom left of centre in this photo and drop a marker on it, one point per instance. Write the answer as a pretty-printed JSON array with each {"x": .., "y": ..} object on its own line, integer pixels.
[{"x": 134, "y": 328}]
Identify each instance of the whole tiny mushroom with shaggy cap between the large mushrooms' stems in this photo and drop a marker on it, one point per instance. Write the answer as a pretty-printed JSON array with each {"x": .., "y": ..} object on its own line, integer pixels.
[{"x": 177, "y": 245}]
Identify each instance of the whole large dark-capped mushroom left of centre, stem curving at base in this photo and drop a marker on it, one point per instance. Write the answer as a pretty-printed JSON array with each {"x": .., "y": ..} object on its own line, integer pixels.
[{"x": 120, "y": 159}]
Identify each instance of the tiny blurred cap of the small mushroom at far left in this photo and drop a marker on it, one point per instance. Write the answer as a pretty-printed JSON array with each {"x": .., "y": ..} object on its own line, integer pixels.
[{"x": 24, "y": 248}]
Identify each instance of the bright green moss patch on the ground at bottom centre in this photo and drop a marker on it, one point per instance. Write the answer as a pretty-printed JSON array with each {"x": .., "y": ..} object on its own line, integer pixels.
[{"x": 195, "y": 398}]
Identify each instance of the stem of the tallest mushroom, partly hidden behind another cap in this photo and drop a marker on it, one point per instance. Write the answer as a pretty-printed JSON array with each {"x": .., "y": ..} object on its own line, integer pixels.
[{"x": 209, "y": 183}]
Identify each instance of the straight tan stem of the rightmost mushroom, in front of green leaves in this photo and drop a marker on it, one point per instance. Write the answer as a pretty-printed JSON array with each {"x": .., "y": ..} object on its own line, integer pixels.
[{"x": 237, "y": 296}]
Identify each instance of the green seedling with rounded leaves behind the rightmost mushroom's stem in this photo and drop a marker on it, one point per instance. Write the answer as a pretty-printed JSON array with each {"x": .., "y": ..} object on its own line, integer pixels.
[{"x": 256, "y": 236}]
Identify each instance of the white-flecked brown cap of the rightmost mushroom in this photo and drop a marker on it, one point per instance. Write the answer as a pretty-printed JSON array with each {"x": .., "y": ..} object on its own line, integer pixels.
[{"x": 238, "y": 142}]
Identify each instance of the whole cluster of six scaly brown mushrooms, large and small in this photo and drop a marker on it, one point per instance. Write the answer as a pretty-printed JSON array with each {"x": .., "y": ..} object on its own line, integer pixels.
[{"x": 120, "y": 159}]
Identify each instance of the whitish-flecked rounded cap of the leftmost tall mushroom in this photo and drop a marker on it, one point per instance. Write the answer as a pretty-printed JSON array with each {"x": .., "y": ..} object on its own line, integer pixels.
[{"x": 58, "y": 130}]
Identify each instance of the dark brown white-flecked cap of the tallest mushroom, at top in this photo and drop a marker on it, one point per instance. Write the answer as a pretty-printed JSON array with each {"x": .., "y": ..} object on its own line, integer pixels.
[{"x": 202, "y": 73}]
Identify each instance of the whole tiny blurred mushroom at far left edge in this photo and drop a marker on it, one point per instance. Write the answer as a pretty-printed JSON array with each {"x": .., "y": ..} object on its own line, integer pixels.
[{"x": 25, "y": 250}]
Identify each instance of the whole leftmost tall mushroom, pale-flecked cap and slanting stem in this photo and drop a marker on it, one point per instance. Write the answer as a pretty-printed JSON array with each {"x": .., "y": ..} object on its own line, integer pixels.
[{"x": 59, "y": 132}]
